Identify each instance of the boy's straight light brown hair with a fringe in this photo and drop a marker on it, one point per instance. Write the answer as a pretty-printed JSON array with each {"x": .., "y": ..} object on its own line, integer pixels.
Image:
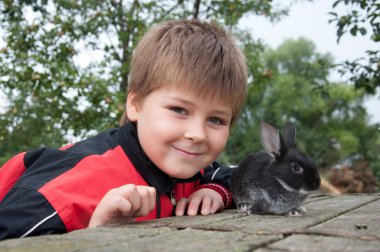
[{"x": 197, "y": 55}]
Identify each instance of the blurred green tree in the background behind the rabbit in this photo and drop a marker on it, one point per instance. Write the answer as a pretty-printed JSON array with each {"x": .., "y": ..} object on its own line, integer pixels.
[{"x": 330, "y": 126}]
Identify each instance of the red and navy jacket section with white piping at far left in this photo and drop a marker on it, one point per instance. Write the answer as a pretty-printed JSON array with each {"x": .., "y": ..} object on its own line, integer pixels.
[{"x": 24, "y": 211}]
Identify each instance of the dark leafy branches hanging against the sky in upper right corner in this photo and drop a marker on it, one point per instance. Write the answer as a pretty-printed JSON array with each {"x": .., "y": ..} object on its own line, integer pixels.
[{"x": 363, "y": 18}]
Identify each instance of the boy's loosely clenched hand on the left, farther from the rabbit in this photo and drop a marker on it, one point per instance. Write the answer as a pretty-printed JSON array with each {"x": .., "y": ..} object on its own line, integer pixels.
[{"x": 122, "y": 204}]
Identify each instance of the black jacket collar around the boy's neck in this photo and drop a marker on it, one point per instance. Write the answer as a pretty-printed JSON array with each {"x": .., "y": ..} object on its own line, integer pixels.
[{"x": 148, "y": 170}]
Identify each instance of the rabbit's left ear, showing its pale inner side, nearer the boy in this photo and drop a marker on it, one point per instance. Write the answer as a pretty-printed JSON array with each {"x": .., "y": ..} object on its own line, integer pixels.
[{"x": 271, "y": 140}]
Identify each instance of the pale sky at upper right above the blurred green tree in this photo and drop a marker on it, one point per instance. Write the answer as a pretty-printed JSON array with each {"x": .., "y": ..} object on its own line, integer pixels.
[{"x": 310, "y": 20}]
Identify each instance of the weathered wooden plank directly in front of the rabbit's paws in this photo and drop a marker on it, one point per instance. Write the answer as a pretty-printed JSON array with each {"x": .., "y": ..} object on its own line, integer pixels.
[{"x": 320, "y": 209}]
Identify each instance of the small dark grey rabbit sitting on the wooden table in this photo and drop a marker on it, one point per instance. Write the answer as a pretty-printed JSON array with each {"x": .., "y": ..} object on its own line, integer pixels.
[{"x": 276, "y": 181}]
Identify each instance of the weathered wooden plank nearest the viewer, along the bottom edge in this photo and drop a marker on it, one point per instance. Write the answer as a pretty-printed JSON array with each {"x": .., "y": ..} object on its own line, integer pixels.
[{"x": 129, "y": 240}]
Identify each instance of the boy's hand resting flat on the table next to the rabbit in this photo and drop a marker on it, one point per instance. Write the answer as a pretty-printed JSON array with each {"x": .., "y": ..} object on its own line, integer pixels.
[{"x": 207, "y": 199}]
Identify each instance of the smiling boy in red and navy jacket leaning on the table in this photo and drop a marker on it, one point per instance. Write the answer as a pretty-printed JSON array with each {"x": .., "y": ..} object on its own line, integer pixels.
[{"x": 187, "y": 85}]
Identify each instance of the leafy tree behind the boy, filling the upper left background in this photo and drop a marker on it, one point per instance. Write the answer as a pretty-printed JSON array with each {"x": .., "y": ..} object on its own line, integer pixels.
[{"x": 54, "y": 89}]
